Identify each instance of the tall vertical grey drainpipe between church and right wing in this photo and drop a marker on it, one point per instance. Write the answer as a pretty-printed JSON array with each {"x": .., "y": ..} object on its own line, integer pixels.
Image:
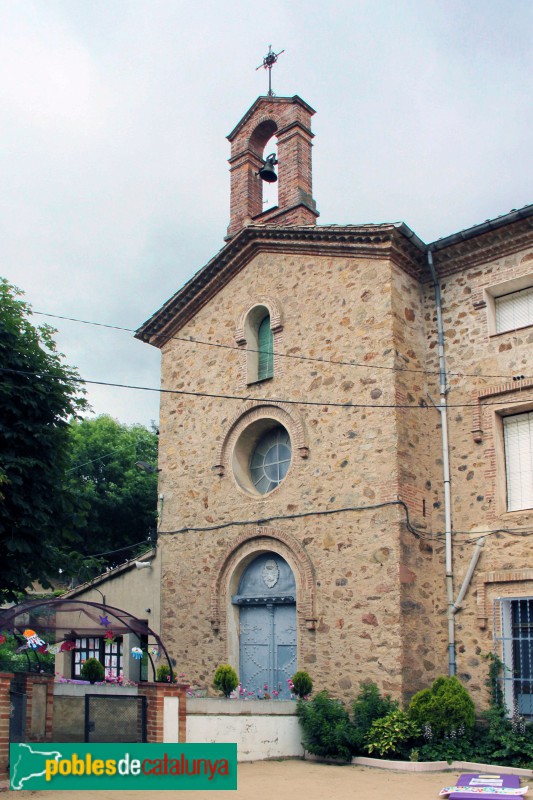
[{"x": 442, "y": 408}]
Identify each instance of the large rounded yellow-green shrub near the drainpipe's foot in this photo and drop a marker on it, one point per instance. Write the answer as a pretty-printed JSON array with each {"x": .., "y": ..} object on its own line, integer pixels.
[{"x": 446, "y": 706}]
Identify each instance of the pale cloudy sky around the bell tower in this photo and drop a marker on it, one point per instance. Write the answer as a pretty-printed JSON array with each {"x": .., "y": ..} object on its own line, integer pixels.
[{"x": 113, "y": 152}]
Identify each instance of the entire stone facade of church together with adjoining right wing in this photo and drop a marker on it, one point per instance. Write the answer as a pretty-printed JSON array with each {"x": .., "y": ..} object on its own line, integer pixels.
[{"x": 359, "y": 517}]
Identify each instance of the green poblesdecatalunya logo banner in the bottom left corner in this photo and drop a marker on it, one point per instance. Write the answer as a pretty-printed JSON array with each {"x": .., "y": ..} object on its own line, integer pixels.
[{"x": 122, "y": 766}]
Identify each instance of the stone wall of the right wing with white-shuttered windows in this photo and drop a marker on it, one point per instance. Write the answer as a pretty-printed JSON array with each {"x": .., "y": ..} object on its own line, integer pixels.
[{"x": 481, "y": 367}]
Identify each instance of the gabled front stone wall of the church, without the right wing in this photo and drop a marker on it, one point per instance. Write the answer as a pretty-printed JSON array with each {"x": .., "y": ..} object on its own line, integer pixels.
[{"x": 338, "y": 308}]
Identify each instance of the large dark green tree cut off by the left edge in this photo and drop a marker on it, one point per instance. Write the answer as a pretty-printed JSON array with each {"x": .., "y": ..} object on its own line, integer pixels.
[{"x": 39, "y": 394}]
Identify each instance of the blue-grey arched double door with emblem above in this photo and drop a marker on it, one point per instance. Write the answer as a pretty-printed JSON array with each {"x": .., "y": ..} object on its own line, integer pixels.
[{"x": 266, "y": 598}]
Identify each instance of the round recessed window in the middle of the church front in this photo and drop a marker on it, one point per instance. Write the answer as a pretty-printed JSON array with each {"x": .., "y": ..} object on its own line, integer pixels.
[{"x": 262, "y": 456}]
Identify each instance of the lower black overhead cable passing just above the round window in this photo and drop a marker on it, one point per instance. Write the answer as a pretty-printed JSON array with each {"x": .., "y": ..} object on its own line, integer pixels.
[{"x": 423, "y": 406}]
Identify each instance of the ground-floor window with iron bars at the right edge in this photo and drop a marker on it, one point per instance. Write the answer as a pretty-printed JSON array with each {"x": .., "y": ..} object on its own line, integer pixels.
[{"x": 513, "y": 643}]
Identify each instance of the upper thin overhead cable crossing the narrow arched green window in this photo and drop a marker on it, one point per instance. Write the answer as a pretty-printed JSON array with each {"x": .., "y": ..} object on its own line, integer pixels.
[{"x": 293, "y": 356}]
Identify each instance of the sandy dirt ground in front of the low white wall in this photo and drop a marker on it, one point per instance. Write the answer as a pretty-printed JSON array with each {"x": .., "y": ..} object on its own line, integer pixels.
[{"x": 293, "y": 780}]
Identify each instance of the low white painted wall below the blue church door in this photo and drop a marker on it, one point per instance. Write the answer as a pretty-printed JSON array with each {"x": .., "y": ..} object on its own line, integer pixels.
[{"x": 262, "y": 729}]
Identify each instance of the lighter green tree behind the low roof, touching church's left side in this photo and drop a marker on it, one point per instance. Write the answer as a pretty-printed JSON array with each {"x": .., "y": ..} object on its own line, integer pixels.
[{"x": 117, "y": 501}]
